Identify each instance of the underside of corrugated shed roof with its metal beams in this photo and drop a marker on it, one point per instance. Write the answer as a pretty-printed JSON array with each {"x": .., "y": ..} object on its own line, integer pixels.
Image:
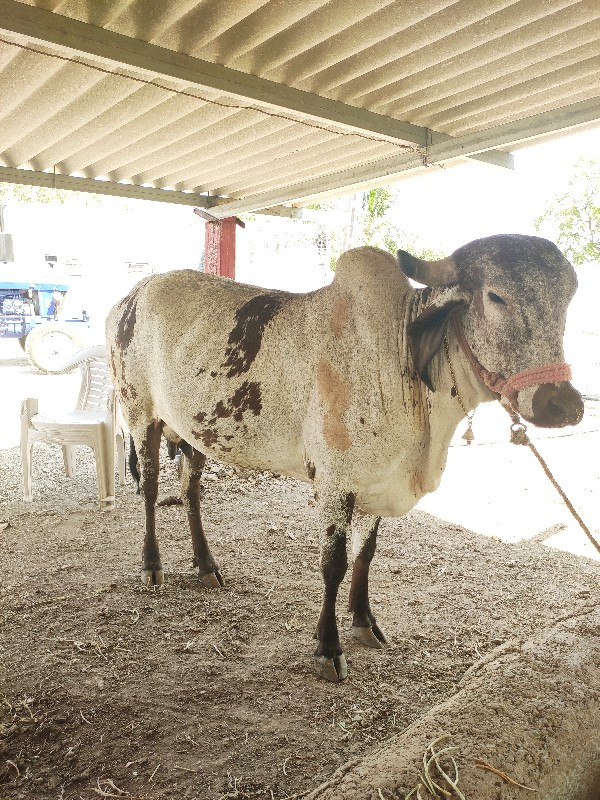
[{"x": 252, "y": 104}]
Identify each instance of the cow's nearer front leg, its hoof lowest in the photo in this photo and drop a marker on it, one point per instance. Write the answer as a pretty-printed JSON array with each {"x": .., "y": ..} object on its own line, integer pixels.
[{"x": 335, "y": 516}]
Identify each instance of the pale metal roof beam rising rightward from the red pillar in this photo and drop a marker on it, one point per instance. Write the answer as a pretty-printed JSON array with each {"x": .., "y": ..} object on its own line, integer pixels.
[{"x": 389, "y": 169}]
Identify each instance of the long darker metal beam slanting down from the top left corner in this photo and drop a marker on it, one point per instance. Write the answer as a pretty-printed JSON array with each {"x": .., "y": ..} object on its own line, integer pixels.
[{"x": 75, "y": 37}]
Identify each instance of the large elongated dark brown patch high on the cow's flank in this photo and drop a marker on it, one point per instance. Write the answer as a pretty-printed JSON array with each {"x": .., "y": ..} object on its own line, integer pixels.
[{"x": 245, "y": 338}]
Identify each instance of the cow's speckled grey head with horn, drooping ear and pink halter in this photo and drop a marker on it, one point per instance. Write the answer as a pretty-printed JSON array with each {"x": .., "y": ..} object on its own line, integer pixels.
[{"x": 511, "y": 293}]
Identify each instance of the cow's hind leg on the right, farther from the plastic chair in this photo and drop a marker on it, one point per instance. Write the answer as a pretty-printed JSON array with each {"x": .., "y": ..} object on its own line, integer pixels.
[{"x": 208, "y": 569}]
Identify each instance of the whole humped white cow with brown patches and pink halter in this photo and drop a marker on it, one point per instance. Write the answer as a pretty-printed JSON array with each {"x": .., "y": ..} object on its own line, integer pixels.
[{"x": 356, "y": 387}]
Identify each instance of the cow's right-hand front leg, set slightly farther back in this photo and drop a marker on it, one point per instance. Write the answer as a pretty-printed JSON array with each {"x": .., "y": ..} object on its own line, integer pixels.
[{"x": 364, "y": 624}]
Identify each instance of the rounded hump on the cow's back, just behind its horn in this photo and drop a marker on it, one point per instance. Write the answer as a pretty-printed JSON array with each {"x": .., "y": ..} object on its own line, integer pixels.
[{"x": 369, "y": 269}]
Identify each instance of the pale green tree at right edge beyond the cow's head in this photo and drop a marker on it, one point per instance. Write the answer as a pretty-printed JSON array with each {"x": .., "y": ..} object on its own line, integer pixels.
[{"x": 575, "y": 215}]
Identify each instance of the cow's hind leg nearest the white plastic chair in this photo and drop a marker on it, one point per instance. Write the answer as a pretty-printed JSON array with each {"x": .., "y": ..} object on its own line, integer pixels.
[{"x": 148, "y": 446}]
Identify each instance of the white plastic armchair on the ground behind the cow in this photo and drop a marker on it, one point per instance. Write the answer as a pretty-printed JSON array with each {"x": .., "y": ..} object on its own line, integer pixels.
[{"x": 93, "y": 422}]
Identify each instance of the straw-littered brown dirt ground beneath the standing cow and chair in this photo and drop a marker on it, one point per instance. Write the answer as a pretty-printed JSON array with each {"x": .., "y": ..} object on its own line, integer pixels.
[{"x": 109, "y": 689}]
